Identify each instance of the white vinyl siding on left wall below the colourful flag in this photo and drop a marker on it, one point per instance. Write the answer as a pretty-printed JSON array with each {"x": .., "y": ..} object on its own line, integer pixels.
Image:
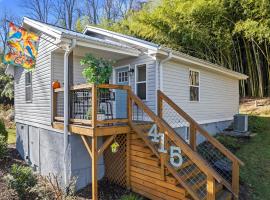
[{"x": 39, "y": 111}]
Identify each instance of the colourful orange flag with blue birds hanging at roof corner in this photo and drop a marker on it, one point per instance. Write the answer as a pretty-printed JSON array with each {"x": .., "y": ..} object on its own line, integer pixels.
[{"x": 21, "y": 48}]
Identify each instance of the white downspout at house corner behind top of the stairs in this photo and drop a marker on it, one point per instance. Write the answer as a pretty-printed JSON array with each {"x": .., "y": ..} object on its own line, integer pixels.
[{"x": 159, "y": 74}]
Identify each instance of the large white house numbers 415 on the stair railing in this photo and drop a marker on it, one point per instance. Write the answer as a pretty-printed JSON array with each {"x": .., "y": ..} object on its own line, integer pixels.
[{"x": 176, "y": 158}]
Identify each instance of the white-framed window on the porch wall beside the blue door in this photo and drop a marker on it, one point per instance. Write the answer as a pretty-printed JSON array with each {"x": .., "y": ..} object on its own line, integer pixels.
[{"x": 141, "y": 81}]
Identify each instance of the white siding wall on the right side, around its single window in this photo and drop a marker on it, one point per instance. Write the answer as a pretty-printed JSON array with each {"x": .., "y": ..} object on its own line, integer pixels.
[{"x": 219, "y": 94}]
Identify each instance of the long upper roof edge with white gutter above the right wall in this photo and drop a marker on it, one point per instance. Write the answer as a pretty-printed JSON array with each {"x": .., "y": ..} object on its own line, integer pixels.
[{"x": 155, "y": 48}]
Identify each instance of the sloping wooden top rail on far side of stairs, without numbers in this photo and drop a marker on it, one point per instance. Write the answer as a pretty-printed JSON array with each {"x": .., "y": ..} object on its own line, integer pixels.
[{"x": 210, "y": 138}]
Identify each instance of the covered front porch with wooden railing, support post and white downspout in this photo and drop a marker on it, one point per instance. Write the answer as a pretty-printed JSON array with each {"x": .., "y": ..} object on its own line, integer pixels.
[{"x": 88, "y": 110}]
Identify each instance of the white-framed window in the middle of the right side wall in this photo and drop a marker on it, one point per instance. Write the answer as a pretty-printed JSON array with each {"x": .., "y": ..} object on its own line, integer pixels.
[{"x": 194, "y": 85}]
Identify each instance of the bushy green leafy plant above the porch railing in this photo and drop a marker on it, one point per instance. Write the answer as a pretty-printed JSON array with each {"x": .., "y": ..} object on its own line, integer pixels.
[{"x": 97, "y": 70}]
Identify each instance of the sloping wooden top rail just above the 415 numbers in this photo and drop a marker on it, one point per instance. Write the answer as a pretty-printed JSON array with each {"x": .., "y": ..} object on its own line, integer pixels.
[{"x": 194, "y": 156}]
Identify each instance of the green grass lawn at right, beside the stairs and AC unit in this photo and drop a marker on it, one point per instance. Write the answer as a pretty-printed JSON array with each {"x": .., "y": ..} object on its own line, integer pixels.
[{"x": 255, "y": 153}]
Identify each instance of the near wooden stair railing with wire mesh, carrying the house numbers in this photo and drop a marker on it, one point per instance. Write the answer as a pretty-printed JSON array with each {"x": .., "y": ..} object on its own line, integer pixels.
[{"x": 198, "y": 189}]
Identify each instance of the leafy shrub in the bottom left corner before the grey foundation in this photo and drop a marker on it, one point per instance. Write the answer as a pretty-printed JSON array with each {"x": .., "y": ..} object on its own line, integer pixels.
[{"x": 21, "y": 179}]
